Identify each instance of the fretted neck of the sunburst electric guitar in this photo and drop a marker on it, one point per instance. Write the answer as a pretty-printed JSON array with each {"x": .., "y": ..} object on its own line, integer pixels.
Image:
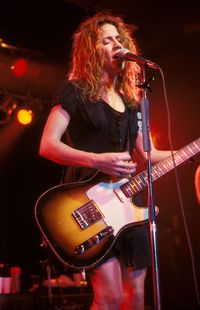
[{"x": 140, "y": 181}]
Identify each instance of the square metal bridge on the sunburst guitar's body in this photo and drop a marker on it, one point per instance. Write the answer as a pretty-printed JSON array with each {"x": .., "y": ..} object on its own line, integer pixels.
[{"x": 87, "y": 214}]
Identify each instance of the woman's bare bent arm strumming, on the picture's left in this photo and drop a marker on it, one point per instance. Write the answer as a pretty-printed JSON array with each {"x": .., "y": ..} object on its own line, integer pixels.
[{"x": 53, "y": 148}]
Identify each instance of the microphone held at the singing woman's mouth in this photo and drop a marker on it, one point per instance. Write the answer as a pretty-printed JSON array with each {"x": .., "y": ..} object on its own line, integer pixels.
[{"x": 125, "y": 54}]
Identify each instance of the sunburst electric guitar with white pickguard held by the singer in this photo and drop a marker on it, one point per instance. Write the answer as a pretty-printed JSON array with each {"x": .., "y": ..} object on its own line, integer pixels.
[{"x": 81, "y": 221}]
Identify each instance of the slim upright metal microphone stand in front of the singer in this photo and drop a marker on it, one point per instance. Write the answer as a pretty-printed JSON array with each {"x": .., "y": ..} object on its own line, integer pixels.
[{"x": 151, "y": 208}]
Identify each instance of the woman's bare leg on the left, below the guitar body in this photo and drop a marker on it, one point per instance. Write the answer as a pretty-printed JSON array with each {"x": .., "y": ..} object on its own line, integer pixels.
[{"x": 107, "y": 286}]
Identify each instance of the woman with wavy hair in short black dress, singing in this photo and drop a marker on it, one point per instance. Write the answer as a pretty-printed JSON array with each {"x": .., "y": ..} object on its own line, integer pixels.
[{"x": 93, "y": 126}]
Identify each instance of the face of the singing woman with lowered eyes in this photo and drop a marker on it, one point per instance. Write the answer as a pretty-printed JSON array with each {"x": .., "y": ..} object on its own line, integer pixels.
[{"x": 110, "y": 43}]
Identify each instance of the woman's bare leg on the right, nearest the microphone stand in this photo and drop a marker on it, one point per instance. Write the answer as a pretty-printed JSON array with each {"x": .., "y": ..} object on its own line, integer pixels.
[{"x": 133, "y": 287}]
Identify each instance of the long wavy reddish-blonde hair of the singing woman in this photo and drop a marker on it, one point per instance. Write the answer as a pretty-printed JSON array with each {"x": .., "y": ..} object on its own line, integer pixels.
[{"x": 88, "y": 61}]
